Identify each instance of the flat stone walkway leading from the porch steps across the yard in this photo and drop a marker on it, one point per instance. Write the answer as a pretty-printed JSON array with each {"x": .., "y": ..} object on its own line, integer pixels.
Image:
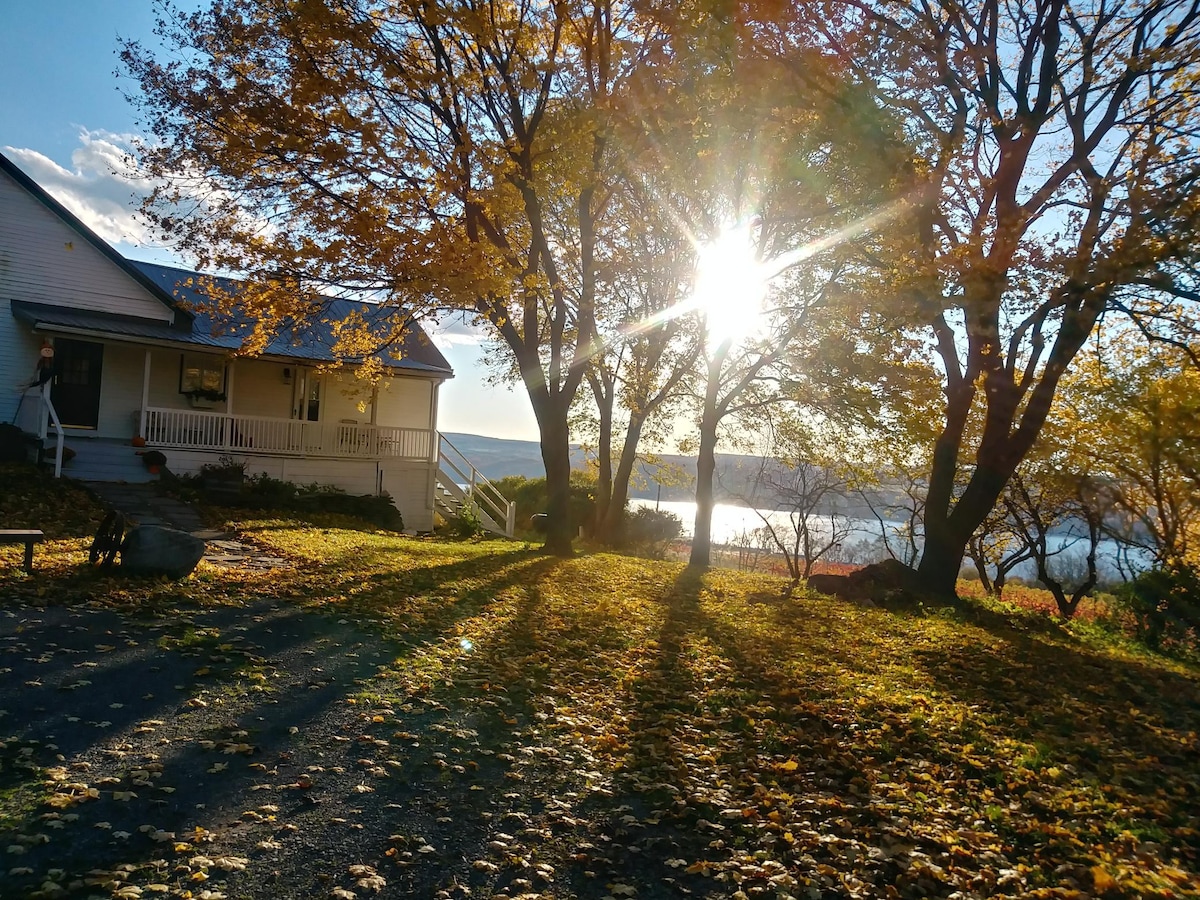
[{"x": 147, "y": 505}]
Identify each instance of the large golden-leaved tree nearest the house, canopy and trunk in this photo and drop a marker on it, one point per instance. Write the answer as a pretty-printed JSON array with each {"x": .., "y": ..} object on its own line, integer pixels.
[{"x": 411, "y": 152}]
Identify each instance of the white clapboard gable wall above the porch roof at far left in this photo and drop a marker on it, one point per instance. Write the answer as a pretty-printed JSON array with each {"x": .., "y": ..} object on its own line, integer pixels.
[{"x": 45, "y": 261}]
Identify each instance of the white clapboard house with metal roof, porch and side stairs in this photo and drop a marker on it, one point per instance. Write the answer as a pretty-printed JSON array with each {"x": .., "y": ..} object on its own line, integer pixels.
[{"x": 97, "y": 351}]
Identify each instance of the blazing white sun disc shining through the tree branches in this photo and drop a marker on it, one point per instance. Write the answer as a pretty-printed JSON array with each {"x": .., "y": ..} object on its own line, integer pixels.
[{"x": 730, "y": 286}]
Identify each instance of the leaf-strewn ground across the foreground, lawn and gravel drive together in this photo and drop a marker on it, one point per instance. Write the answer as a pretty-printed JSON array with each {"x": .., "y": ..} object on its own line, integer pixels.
[{"x": 412, "y": 718}]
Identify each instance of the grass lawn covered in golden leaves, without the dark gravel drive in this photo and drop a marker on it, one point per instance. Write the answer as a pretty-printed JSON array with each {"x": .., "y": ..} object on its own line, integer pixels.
[{"x": 805, "y": 728}]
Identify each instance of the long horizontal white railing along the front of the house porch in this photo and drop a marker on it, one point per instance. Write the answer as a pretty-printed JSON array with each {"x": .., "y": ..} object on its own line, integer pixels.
[{"x": 191, "y": 430}]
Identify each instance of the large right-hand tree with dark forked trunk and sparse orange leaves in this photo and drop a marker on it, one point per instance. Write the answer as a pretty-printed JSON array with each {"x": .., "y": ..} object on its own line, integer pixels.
[{"x": 1055, "y": 182}]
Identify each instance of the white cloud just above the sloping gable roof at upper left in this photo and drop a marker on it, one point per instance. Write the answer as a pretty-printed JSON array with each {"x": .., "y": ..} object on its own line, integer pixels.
[{"x": 100, "y": 187}]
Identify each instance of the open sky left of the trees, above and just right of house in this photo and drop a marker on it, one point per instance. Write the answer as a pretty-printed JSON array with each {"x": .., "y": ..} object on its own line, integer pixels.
[{"x": 65, "y": 122}]
